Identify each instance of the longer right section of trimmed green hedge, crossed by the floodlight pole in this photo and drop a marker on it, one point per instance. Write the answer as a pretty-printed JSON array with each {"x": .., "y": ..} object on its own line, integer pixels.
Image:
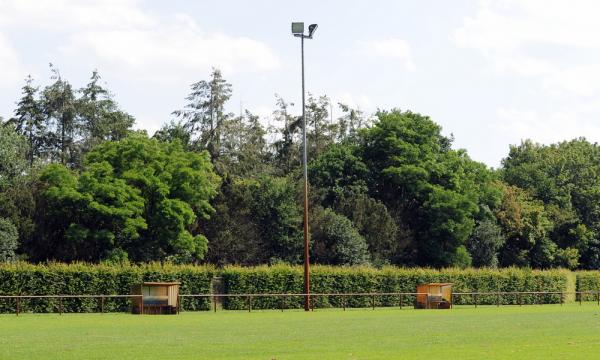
[{"x": 327, "y": 279}]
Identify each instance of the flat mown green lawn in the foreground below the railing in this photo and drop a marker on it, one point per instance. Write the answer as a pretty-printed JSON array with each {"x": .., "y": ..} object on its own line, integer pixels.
[{"x": 529, "y": 332}]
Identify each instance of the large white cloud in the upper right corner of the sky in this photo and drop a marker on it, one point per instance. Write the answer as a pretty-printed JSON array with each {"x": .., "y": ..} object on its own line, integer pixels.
[{"x": 531, "y": 38}]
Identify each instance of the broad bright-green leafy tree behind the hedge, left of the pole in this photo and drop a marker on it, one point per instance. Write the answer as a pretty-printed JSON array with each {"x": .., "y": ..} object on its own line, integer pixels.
[{"x": 136, "y": 196}]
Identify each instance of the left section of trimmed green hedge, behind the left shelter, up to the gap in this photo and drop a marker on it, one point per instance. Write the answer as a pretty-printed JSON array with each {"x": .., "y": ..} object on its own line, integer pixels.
[{"x": 80, "y": 279}]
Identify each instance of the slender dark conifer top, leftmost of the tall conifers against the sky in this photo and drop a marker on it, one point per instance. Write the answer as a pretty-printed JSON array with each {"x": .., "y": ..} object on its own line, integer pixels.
[{"x": 29, "y": 120}]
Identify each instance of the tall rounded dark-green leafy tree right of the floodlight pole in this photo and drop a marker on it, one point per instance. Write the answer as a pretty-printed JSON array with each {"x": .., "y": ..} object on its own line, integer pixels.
[{"x": 437, "y": 190}]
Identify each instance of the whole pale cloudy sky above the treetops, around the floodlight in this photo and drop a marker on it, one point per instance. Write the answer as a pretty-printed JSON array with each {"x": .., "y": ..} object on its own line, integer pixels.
[{"x": 492, "y": 73}]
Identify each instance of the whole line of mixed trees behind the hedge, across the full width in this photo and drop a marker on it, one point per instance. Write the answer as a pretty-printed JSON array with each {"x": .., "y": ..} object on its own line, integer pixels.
[{"x": 78, "y": 183}]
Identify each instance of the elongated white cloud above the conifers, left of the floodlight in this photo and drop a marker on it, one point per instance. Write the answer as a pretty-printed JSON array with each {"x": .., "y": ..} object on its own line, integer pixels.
[{"x": 171, "y": 50}]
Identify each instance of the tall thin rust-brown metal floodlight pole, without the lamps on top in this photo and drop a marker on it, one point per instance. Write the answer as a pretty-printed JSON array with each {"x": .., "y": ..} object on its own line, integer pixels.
[{"x": 304, "y": 164}]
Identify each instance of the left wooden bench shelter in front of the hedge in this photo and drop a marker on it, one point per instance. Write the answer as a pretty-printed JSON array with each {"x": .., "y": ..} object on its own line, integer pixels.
[{"x": 157, "y": 298}]
